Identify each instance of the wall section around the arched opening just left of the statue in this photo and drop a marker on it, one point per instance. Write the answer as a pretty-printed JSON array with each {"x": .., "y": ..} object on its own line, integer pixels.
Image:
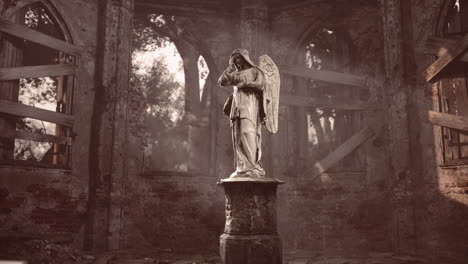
[{"x": 185, "y": 211}]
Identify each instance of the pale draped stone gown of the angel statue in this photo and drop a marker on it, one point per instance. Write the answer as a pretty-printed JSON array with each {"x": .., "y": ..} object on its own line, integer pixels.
[{"x": 245, "y": 119}]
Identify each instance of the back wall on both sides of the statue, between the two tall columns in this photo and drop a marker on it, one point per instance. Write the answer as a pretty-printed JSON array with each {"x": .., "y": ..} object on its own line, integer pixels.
[{"x": 336, "y": 214}]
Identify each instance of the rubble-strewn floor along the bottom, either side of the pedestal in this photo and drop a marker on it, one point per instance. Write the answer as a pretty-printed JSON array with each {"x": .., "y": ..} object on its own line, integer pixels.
[{"x": 46, "y": 252}]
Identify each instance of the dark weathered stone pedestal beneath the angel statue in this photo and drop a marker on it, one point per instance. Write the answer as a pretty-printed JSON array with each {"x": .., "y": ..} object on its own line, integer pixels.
[{"x": 250, "y": 233}]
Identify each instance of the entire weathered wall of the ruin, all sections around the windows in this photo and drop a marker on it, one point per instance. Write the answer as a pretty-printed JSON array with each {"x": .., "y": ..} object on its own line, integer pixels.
[{"x": 403, "y": 202}]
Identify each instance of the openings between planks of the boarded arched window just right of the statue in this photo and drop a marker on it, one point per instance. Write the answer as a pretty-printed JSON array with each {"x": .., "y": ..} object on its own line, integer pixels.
[{"x": 320, "y": 130}]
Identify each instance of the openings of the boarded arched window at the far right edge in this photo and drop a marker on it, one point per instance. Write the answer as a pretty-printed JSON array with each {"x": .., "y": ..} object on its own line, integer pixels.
[{"x": 453, "y": 88}]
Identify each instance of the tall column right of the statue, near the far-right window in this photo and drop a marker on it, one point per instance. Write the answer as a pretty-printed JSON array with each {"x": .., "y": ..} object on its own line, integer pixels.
[{"x": 399, "y": 146}]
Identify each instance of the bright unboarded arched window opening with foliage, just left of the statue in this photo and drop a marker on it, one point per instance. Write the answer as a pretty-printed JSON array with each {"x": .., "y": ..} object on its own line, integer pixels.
[{"x": 172, "y": 76}]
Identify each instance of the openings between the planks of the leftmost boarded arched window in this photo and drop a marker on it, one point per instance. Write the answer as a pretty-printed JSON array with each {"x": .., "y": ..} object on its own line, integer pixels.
[{"x": 49, "y": 93}]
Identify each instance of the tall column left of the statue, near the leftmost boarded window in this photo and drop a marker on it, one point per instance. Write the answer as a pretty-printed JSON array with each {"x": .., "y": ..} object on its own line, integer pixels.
[{"x": 108, "y": 149}]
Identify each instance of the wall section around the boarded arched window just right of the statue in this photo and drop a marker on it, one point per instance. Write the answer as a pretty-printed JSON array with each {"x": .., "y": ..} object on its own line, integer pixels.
[{"x": 337, "y": 213}]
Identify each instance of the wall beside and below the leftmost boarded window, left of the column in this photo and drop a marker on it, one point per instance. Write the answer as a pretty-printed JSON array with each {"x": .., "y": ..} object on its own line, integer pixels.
[{"x": 50, "y": 203}]
